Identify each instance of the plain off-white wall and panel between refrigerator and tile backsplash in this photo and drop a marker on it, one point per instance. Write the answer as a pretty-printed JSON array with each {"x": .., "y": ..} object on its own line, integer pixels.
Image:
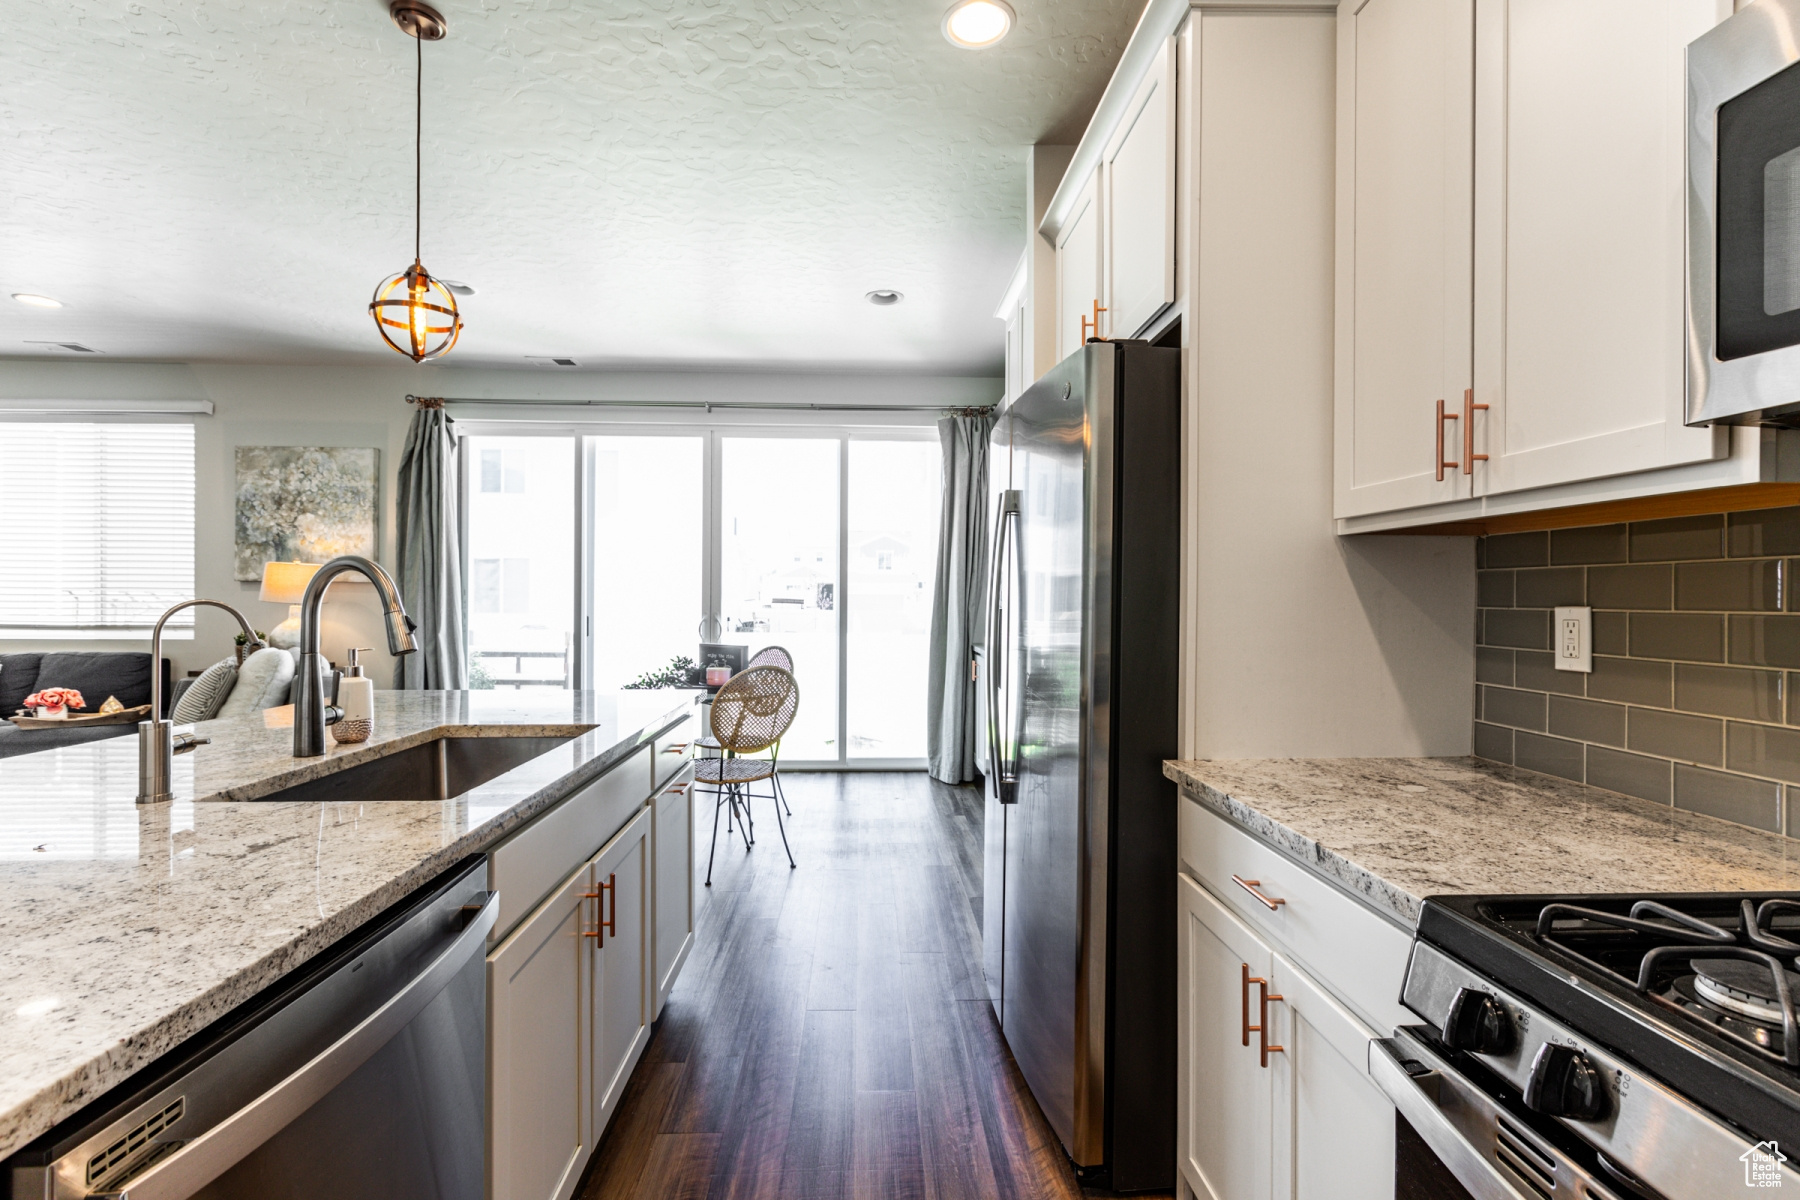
[{"x": 1297, "y": 641}]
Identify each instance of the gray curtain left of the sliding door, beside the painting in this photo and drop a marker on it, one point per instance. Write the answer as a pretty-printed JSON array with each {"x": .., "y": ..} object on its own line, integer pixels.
[{"x": 431, "y": 557}]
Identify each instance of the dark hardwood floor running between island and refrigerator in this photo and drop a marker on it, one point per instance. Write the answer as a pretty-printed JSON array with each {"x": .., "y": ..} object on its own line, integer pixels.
[{"x": 831, "y": 1034}]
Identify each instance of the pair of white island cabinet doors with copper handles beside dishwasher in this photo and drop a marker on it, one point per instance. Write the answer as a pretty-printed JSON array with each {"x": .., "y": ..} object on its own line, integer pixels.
[{"x": 568, "y": 1019}]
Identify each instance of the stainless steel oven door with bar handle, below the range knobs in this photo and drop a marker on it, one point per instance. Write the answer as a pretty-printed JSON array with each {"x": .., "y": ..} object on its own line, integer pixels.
[{"x": 1459, "y": 1120}]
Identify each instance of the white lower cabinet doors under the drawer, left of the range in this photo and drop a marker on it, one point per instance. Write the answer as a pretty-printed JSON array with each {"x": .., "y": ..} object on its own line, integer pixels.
[{"x": 1299, "y": 1122}]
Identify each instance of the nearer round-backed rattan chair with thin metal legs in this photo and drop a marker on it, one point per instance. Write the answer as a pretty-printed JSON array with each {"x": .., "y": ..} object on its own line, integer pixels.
[{"x": 750, "y": 715}]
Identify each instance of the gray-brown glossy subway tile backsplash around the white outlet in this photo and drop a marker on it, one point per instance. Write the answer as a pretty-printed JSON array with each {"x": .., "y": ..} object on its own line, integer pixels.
[{"x": 1695, "y": 699}]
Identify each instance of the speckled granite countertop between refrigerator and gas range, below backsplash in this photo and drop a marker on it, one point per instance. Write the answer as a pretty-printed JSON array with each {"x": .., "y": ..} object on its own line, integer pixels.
[{"x": 1399, "y": 830}]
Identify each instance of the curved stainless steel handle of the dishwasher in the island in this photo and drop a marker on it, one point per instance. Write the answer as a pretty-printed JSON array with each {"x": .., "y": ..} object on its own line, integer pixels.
[{"x": 220, "y": 1149}]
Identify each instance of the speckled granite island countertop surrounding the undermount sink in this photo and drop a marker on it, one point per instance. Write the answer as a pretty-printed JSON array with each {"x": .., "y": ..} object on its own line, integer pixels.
[{"x": 127, "y": 929}]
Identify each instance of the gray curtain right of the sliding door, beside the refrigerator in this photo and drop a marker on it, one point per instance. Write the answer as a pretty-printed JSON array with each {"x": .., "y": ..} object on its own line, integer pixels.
[{"x": 958, "y": 605}]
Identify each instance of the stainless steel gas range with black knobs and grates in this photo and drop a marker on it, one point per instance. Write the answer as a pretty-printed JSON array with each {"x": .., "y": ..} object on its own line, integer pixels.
[{"x": 1597, "y": 1048}]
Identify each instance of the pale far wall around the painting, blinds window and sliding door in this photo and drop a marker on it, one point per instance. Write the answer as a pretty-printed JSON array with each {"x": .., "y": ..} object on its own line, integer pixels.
[{"x": 292, "y": 406}]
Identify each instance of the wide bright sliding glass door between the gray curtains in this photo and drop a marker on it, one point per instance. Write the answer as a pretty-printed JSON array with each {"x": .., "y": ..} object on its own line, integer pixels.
[{"x": 823, "y": 542}]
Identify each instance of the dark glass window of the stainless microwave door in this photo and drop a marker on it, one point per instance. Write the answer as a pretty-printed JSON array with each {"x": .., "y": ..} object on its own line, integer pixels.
[{"x": 1759, "y": 219}]
